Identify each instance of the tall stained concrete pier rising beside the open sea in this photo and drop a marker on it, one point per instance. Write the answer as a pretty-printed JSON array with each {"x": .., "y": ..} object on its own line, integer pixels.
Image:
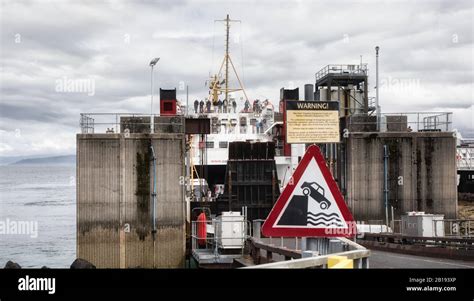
[{"x": 114, "y": 203}]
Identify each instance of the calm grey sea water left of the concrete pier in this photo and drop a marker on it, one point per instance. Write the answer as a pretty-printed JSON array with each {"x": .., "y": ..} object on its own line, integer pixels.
[{"x": 38, "y": 215}]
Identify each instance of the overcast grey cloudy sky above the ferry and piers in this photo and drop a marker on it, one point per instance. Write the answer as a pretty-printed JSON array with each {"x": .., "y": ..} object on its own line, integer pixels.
[{"x": 426, "y": 61}]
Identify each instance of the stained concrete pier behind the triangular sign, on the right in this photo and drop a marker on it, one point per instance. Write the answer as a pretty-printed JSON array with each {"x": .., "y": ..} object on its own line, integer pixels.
[{"x": 421, "y": 173}]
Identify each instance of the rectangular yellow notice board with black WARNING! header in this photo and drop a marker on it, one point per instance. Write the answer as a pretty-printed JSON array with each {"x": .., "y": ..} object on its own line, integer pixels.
[{"x": 312, "y": 121}]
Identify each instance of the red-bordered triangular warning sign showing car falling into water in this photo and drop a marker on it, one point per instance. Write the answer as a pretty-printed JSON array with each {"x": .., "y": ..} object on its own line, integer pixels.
[{"x": 311, "y": 204}]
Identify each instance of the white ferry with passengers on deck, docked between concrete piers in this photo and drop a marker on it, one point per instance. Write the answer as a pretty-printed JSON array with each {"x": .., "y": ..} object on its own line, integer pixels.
[{"x": 233, "y": 118}]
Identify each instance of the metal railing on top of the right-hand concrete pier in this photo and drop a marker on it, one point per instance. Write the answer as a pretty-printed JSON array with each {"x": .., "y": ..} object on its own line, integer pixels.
[{"x": 402, "y": 122}]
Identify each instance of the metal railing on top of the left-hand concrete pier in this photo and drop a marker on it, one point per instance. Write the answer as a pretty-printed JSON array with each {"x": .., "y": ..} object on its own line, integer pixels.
[{"x": 113, "y": 123}]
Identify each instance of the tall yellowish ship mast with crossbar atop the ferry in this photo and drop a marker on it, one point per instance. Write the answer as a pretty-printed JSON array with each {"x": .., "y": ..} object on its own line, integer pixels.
[{"x": 215, "y": 85}]
